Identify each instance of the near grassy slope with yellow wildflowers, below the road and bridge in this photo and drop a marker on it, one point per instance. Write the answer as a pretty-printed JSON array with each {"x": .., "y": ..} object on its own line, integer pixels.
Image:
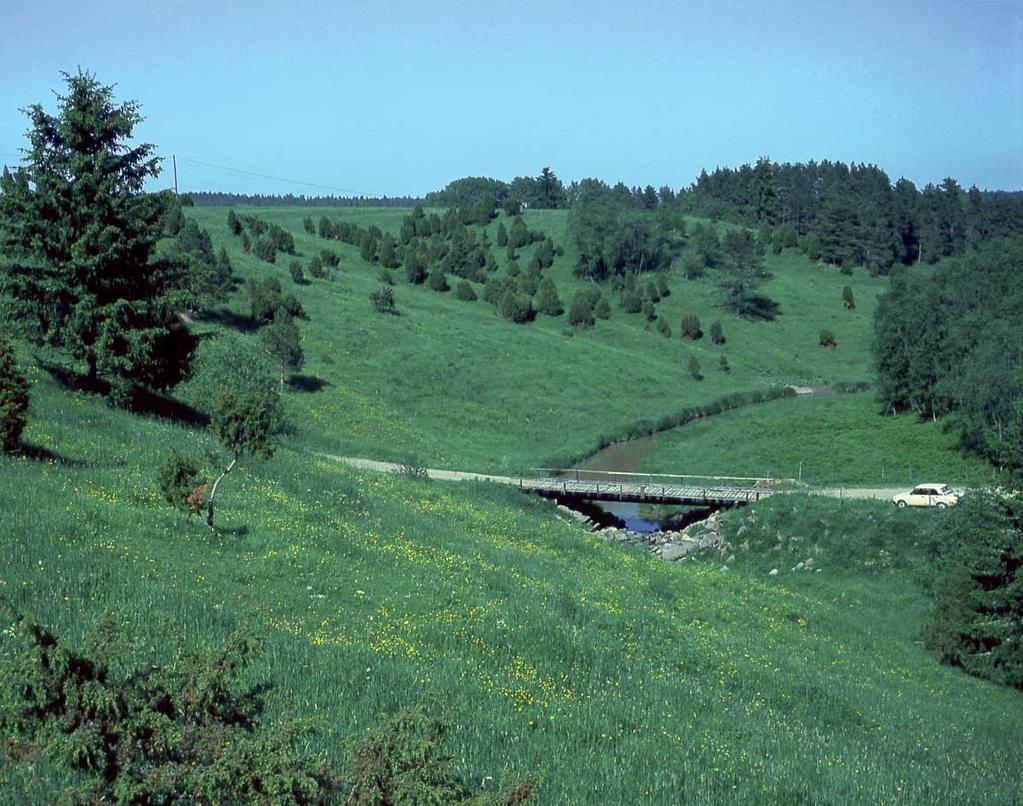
[{"x": 607, "y": 676}]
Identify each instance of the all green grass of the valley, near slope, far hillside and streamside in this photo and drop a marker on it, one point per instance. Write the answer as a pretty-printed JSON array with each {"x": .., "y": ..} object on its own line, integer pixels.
[{"x": 605, "y": 676}]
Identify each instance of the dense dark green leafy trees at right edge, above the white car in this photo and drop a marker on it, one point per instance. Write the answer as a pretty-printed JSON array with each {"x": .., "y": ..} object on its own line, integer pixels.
[{"x": 949, "y": 342}]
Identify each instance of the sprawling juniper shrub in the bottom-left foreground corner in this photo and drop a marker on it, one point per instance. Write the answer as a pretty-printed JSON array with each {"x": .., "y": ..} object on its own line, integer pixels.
[{"x": 186, "y": 733}]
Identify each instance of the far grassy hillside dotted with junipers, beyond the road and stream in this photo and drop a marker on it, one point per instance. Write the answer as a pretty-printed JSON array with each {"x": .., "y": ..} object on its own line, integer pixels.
[{"x": 460, "y": 387}]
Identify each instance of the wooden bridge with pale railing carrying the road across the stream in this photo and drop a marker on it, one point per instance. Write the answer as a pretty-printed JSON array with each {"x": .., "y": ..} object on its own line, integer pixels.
[{"x": 645, "y": 488}]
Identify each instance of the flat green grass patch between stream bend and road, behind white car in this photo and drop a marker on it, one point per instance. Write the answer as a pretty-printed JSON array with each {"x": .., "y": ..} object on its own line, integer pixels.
[{"x": 839, "y": 439}]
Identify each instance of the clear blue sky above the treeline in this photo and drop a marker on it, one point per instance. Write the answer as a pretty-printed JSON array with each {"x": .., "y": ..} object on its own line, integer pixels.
[{"x": 394, "y": 99}]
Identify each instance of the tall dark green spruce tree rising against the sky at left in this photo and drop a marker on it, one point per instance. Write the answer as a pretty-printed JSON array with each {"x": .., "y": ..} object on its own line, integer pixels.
[{"x": 82, "y": 234}]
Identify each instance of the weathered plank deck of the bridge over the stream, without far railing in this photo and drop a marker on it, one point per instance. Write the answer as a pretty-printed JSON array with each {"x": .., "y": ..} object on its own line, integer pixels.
[{"x": 640, "y": 492}]
